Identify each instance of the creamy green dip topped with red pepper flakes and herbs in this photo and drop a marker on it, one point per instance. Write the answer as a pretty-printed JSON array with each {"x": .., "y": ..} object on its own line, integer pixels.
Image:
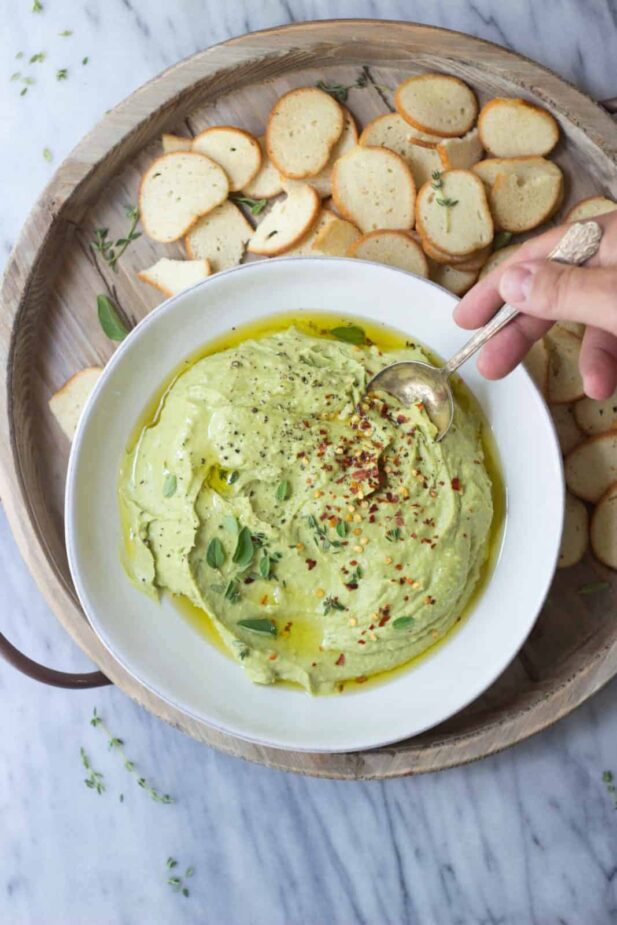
[{"x": 325, "y": 532}]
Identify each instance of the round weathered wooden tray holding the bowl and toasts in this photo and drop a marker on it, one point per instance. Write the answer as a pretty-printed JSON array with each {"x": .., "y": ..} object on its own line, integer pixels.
[{"x": 49, "y": 330}]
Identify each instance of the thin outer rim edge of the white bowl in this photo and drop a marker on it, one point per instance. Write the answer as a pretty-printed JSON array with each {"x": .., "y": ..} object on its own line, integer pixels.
[{"x": 154, "y": 317}]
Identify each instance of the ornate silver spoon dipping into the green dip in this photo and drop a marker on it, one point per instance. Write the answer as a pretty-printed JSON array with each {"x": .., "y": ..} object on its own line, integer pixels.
[{"x": 413, "y": 381}]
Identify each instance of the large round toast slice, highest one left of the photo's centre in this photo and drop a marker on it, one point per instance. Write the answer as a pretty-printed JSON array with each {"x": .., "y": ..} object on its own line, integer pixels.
[{"x": 303, "y": 127}]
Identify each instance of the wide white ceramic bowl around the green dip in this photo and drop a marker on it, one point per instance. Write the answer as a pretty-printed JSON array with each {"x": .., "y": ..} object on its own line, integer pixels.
[{"x": 164, "y": 652}]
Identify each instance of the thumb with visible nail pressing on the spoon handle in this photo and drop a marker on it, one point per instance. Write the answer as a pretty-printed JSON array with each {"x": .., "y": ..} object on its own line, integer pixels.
[{"x": 558, "y": 292}]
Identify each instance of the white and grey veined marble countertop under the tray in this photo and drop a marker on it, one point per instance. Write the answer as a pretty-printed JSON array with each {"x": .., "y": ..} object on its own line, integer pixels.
[{"x": 529, "y": 836}]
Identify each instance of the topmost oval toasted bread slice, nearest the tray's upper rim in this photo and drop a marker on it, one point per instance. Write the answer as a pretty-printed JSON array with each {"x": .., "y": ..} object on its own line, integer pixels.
[{"x": 437, "y": 103}]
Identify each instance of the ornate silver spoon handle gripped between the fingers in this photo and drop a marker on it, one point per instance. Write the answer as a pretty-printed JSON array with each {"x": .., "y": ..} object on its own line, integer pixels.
[{"x": 580, "y": 242}]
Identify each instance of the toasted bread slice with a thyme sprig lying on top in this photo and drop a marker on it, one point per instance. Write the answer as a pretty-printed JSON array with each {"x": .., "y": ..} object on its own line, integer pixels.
[{"x": 455, "y": 217}]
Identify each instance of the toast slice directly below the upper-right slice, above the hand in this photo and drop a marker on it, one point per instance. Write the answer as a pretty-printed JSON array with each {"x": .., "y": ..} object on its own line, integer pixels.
[{"x": 522, "y": 202}]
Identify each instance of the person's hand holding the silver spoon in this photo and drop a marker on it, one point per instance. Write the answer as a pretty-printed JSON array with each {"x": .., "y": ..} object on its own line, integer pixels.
[{"x": 546, "y": 292}]
